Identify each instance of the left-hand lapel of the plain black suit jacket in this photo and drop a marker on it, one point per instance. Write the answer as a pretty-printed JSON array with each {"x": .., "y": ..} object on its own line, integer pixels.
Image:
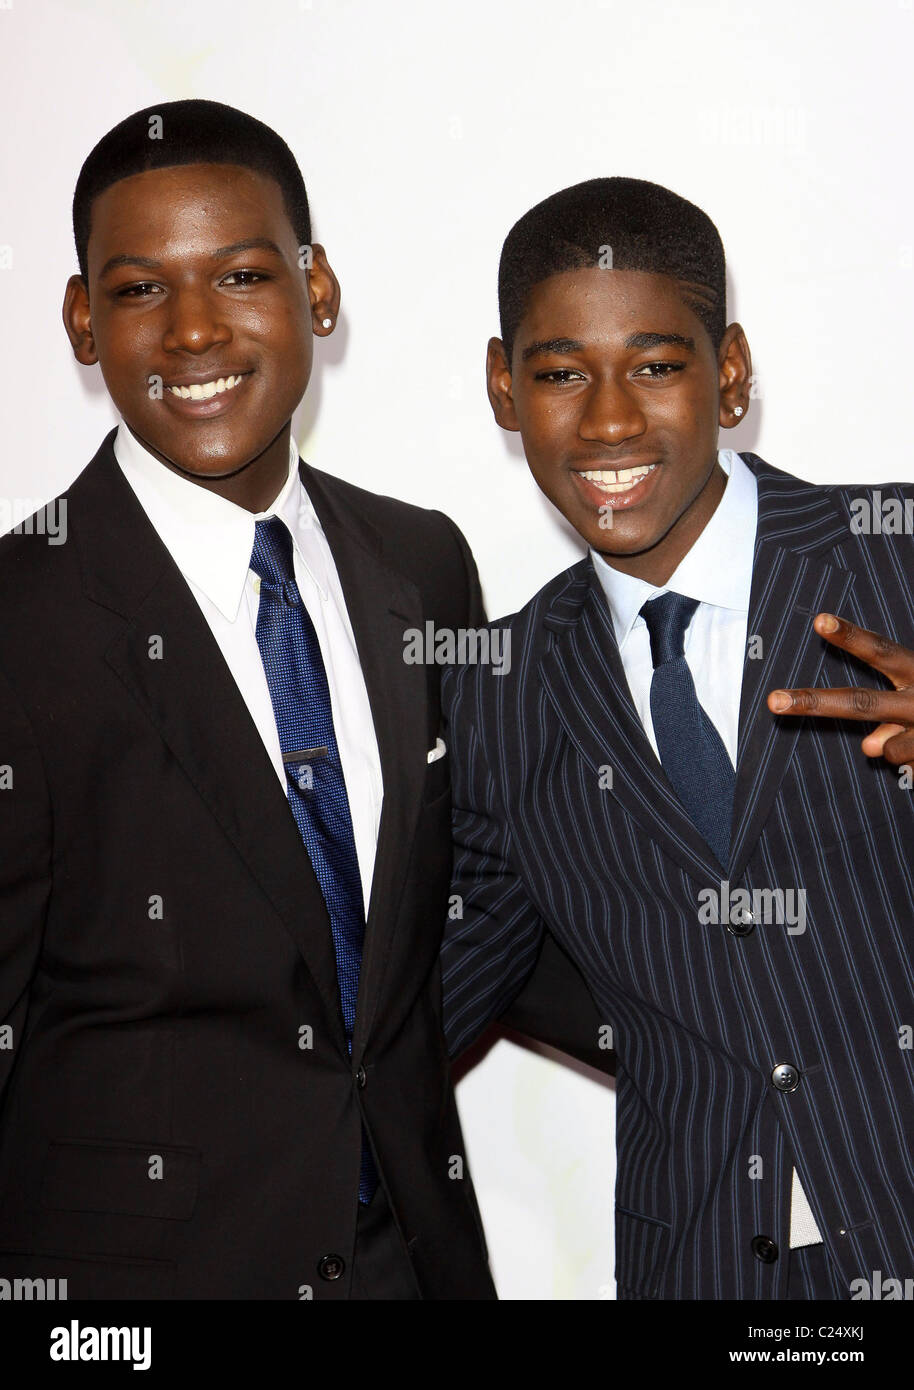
[{"x": 192, "y": 701}]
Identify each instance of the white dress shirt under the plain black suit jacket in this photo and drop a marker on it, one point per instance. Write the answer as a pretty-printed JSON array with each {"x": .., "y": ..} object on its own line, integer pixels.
[{"x": 212, "y": 543}]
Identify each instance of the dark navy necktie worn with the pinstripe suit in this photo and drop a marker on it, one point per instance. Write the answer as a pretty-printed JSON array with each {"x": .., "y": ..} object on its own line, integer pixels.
[{"x": 692, "y": 753}]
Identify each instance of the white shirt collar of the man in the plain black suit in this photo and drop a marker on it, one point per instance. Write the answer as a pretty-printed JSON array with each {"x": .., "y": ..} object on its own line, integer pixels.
[{"x": 210, "y": 539}]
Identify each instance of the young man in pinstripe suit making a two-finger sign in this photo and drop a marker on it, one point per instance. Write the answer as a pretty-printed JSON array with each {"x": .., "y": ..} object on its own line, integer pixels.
[{"x": 642, "y": 793}]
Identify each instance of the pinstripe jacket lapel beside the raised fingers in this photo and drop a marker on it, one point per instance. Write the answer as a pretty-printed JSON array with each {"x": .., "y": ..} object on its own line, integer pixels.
[{"x": 792, "y": 582}]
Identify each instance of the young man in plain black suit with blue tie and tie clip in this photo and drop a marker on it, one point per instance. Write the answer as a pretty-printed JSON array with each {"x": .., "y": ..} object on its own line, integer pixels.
[{"x": 226, "y": 819}]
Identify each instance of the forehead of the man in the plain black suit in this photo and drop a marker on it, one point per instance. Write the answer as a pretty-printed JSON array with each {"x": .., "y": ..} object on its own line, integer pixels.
[{"x": 169, "y": 211}]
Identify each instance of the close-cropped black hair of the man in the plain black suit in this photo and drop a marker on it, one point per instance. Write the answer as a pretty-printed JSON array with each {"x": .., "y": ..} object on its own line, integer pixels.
[{"x": 187, "y": 133}]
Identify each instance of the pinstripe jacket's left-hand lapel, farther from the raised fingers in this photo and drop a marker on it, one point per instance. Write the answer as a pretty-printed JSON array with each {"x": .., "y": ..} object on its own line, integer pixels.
[{"x": 584, "y": 678}]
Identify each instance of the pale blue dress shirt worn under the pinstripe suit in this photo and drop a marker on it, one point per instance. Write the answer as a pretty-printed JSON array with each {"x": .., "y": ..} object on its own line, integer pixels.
[{"x": 717, "y": 572}]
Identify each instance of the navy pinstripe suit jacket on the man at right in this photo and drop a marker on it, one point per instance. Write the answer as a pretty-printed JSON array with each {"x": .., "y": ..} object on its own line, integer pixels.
[{"x": 701, "y": 1017}]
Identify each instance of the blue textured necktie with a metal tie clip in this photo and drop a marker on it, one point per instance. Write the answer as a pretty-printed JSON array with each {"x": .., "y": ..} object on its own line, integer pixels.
[{"x": 315, "y": 774}]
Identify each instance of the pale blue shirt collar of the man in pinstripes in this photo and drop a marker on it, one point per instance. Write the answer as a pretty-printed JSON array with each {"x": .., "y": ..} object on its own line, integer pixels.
[{"x": 717, "y": 569}]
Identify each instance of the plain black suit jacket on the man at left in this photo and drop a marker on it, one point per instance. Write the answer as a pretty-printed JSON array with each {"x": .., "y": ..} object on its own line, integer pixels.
[{"x": 180, "y": 1115}]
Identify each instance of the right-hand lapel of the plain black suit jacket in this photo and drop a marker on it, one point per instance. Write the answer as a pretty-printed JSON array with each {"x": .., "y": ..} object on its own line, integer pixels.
[{"x": 381, "y": 605}]
